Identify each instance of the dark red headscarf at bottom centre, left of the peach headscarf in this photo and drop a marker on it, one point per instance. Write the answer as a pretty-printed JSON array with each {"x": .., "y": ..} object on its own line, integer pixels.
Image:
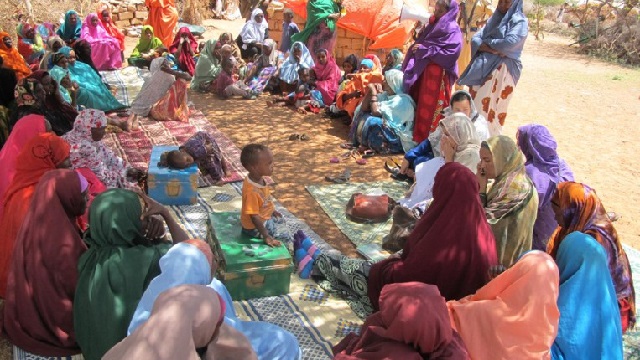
[{"x": 395, "y": 332}]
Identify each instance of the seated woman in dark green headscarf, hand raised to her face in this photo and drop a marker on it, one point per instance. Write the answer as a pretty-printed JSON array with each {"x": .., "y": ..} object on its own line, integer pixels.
[{"x": 122, "y": 259}]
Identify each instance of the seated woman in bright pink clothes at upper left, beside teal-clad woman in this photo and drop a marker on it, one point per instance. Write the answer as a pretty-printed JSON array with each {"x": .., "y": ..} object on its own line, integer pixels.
[{"x": 105, "y": 49}]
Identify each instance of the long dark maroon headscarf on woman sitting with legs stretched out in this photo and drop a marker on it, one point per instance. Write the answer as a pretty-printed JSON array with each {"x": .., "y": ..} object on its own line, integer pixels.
[{"x": 452, "y": 246}]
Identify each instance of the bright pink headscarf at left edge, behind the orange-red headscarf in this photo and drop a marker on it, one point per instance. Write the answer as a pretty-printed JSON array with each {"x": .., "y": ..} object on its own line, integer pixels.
[{"x": 26, "y": 129}]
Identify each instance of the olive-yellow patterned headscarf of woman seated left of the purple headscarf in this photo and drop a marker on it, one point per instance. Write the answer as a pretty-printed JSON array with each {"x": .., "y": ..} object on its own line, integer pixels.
[{"x": 512, "y": 188}]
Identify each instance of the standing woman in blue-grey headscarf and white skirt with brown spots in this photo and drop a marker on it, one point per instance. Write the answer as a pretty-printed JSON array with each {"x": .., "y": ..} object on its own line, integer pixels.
[{"x": 495, "y": 65}]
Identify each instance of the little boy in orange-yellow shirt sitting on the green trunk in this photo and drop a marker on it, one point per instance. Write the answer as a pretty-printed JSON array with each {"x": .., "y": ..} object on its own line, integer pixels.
[{"x": 257, "y": 203}]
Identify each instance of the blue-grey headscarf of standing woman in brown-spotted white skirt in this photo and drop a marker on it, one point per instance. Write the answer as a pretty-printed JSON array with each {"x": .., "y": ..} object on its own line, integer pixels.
[{"x": 507, "y": 34}]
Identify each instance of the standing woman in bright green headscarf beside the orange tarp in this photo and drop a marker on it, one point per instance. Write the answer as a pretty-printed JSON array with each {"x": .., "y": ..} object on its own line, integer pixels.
[{"x": 320, "y": 29}]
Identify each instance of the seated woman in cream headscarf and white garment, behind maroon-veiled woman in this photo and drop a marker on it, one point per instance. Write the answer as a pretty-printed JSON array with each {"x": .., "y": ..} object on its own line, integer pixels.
[{"x": 458, "y": 142}]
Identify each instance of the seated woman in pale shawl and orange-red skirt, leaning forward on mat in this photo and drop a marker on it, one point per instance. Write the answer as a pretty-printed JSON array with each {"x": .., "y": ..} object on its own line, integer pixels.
[{"x": 163, "y": 95}]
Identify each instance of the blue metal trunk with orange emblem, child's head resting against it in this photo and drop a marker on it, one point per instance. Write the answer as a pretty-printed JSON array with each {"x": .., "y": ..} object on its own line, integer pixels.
[{"x": 172, "y": 187}]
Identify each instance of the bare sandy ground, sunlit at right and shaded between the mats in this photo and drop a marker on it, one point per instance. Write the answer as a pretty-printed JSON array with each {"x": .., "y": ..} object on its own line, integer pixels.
[{"x": 591, "y": 107}]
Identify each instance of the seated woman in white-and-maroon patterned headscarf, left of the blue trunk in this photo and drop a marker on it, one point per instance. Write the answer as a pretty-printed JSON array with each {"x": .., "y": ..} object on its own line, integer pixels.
[{"x": 88, "y": 150}]
